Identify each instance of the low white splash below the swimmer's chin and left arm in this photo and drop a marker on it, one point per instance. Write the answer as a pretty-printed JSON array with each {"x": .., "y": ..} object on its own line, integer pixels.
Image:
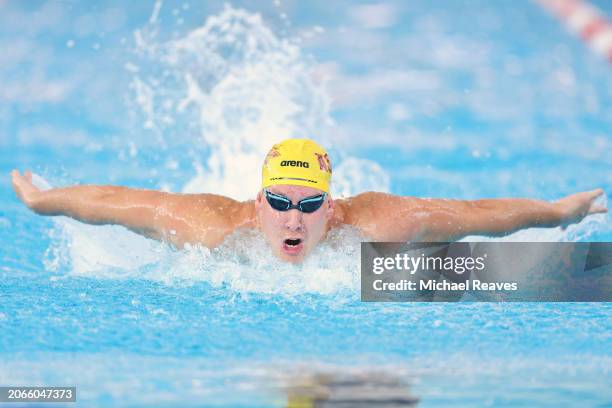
[{"x": 244, "y": 262}]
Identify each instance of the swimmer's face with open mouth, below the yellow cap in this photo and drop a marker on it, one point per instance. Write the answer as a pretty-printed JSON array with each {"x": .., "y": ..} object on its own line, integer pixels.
[{"x": 293, "y": 234}]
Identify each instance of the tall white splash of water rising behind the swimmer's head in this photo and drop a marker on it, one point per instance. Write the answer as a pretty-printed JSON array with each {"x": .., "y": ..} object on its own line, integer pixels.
[{"x": 241, "y": 88}]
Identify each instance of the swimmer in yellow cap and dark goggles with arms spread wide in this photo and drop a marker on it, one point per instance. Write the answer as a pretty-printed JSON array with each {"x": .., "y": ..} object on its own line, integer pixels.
[{"x": 295, "y": 210}]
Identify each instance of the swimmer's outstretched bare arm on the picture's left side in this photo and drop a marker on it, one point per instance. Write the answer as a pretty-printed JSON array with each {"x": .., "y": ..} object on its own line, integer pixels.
[{"x": 175, "y": 218}]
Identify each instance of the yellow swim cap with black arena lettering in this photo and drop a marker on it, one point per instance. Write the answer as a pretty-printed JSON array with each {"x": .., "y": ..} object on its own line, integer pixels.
[{"x": 298, "y": 162}]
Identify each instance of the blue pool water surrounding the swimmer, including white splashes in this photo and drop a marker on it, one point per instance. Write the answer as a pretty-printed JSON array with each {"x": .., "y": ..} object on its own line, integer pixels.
[{"x": 473, "y": 99}]
